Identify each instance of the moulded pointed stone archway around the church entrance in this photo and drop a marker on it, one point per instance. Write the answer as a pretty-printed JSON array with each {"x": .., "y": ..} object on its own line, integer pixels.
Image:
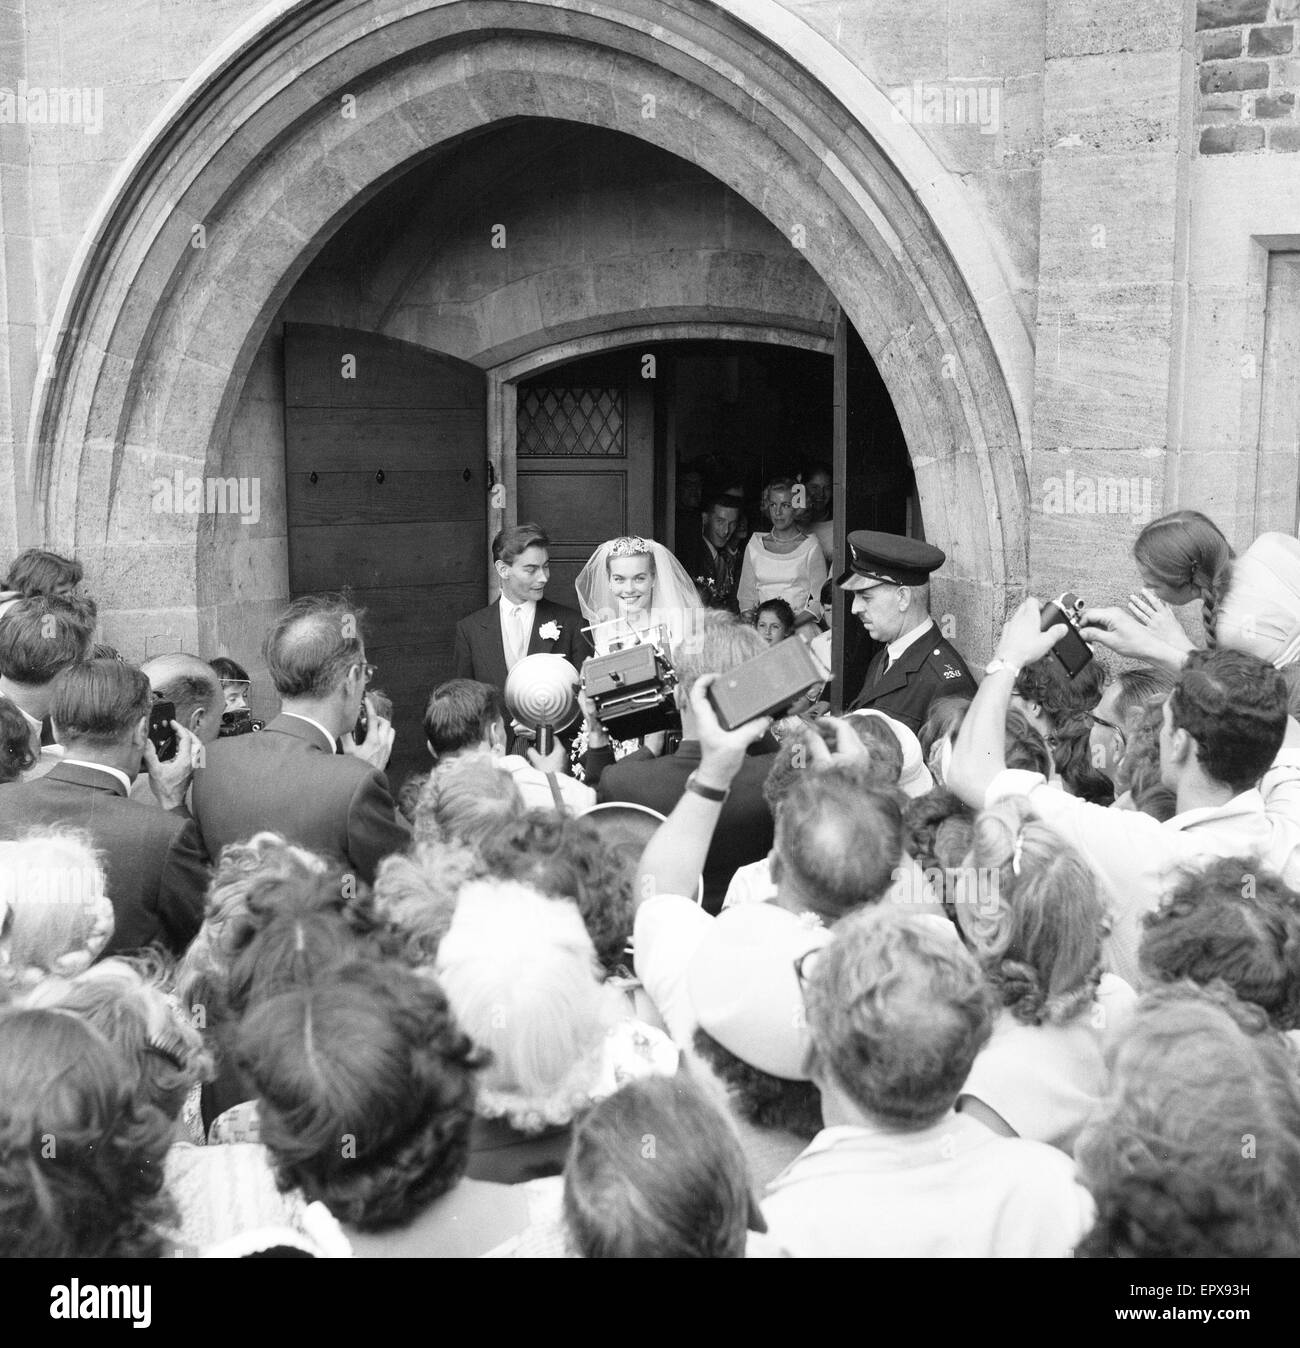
[{"x": 316, "y": 107}]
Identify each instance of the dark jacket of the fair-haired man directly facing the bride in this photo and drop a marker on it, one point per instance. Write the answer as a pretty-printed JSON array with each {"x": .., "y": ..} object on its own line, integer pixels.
[{"x": 745, "y": 826}]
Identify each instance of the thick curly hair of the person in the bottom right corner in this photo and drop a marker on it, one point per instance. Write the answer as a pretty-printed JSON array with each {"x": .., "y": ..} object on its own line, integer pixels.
[{"x": 1197, "y": 1152}]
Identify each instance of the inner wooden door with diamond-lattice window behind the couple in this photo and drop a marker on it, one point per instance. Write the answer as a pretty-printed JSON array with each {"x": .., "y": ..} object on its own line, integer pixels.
[{"x": 585, "y": 470}]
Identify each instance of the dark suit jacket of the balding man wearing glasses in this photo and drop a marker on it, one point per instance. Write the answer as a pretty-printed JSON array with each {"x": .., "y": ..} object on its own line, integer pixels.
[{"x": 288, "y": 778}]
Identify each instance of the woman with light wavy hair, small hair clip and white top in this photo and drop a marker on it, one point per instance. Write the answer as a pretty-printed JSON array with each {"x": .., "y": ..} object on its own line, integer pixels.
[{"x": 1035, "y": 921}]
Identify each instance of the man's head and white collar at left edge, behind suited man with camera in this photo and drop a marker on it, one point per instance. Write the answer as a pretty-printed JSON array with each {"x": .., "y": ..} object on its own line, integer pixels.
[{"x": 40, "y": 638}]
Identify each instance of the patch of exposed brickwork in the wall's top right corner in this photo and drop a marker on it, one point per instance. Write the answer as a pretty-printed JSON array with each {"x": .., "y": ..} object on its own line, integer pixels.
[{"x": 1248, "y": 76}]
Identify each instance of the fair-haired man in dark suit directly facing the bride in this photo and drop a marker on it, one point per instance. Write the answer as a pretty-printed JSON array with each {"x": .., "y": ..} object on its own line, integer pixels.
[{"x": 745, "y": 828}]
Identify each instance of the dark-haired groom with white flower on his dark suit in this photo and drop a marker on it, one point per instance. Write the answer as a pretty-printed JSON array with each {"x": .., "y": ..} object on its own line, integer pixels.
[{"x": 494, "y": 640}]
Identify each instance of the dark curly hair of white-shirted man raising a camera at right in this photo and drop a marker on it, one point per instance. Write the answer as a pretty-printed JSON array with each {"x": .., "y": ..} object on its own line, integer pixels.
[{"x": 1235, "y": 707}]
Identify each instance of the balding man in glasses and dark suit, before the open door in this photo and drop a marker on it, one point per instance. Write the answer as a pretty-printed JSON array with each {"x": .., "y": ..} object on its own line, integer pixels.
[{"x": 304, "y": 776}]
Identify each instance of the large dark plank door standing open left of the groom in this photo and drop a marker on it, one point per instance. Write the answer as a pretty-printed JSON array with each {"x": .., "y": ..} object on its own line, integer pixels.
[{"x": 386, "y": 470}]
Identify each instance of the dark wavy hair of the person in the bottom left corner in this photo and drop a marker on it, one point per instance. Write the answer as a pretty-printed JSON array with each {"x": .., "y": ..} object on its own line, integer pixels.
[{"x": 82, "y": 1156}]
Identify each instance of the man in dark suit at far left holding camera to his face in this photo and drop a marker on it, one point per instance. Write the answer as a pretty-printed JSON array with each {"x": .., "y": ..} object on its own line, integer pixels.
[{"x": 156, "y": 867}]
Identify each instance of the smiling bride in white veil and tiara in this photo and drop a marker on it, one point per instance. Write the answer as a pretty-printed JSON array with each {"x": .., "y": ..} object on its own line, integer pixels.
[{"x": 630, "y": 590}]
